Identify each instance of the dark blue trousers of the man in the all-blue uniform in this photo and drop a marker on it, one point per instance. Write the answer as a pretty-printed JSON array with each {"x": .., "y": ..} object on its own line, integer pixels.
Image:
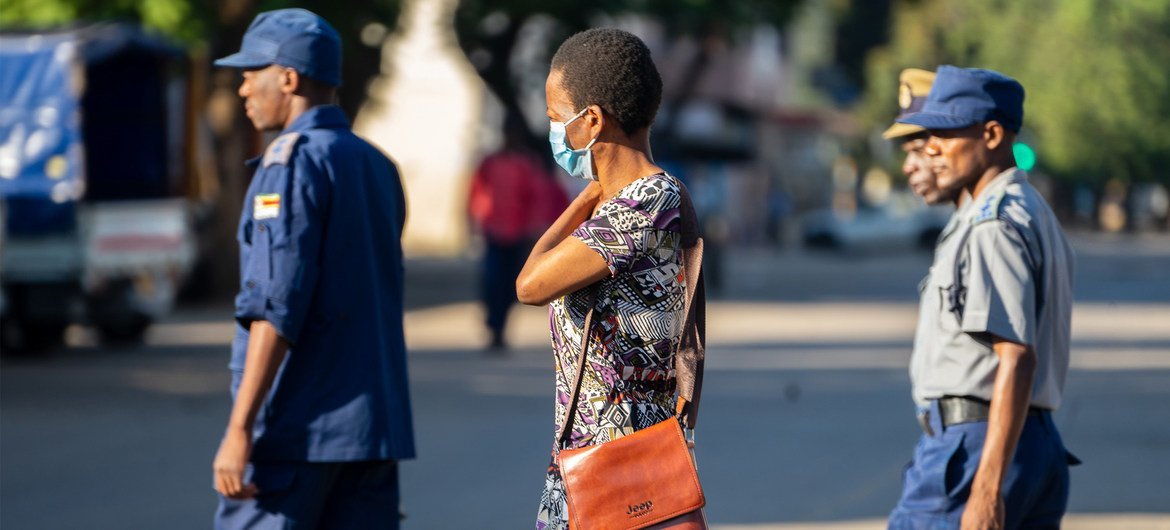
[{"x": 316, "y": 495}]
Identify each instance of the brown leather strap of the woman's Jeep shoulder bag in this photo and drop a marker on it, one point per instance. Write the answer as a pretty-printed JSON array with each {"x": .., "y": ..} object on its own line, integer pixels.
[{"x": 690, "y": 360}]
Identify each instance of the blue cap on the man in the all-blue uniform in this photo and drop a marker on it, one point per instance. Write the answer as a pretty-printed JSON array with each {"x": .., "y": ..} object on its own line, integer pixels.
[{"x": 298, "y": 39}]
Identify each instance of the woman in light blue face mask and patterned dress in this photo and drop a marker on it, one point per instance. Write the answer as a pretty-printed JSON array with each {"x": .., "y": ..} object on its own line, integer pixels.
[{"x": 617, "y": 246}]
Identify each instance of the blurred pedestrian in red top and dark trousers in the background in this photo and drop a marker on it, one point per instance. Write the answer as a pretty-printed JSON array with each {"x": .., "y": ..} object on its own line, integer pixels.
[{"x": 512, "y": 202}]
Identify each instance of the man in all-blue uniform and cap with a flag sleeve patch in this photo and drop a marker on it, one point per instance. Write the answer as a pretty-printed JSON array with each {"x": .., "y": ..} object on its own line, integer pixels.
[{"x": 321, "y": 410}]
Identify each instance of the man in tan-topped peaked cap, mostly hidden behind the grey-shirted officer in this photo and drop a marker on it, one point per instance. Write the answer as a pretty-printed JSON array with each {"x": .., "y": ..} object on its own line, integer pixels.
[{"x": 914, "y": 86}]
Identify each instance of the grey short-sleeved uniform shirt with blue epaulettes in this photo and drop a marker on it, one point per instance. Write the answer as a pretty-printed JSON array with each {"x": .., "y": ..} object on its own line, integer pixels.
[{"x": 1002, "y": 269}]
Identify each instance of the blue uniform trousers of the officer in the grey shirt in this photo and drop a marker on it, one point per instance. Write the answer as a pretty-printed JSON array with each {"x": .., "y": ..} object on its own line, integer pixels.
[{"x": 938, "y": 481}]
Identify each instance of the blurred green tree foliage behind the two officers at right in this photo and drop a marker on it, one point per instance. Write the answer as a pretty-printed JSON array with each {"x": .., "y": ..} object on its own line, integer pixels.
[{"x": 1095, "y": 71}]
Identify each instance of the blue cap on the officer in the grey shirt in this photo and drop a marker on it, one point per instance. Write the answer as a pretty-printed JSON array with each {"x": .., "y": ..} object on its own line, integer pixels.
[{"x": 962, "y": 98}]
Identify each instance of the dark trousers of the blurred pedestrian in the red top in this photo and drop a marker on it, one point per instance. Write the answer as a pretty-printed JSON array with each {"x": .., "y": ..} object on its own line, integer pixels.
[{"x": 503, "y": 263}]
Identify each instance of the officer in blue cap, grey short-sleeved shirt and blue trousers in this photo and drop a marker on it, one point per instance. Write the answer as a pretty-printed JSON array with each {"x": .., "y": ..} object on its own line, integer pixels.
[{"x": 992, "y": 350}]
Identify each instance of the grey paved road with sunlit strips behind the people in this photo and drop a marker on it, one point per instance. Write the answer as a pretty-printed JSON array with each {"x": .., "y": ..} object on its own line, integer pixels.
[{"x": 807, "y": 419}]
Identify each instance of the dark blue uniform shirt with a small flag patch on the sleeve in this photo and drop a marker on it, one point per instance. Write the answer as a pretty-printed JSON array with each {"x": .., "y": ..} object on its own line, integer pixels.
[{"x": 321, "y": 260}]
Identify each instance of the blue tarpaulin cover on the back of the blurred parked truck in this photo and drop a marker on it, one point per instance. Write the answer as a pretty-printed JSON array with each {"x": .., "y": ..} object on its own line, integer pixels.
[{"x": 84, "y": 115}]
